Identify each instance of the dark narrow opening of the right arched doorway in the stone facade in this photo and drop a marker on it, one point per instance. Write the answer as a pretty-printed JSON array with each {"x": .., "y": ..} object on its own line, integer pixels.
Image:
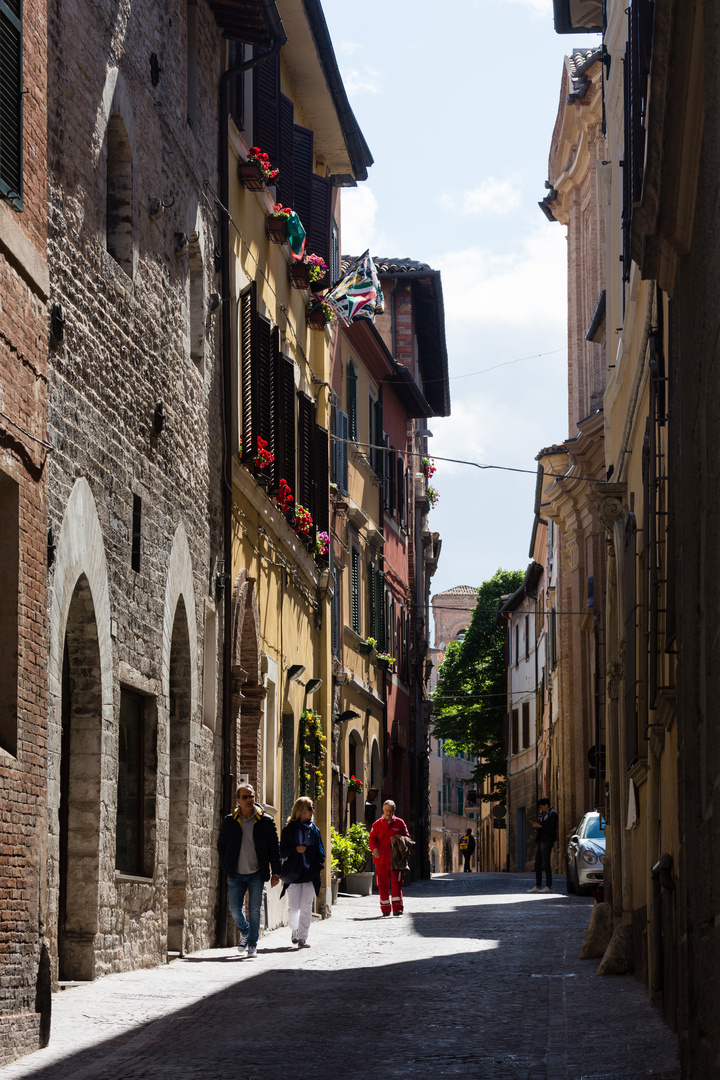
[{"x": 181, "y": 704}]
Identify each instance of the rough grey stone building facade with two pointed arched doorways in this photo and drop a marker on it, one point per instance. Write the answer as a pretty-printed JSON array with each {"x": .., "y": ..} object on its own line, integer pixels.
[{"x": 134, "y": 485}]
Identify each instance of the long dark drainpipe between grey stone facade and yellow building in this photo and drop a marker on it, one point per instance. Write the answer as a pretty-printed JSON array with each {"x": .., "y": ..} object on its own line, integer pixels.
[{"x": 279, "y": 38}]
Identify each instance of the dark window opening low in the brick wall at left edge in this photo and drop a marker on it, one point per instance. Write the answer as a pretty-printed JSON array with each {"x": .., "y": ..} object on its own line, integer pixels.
[{"x": 9, "y": 611}]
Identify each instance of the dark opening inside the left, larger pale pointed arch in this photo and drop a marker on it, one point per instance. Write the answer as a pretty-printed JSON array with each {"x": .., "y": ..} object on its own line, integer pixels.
[{"x": 81, "y": 733}]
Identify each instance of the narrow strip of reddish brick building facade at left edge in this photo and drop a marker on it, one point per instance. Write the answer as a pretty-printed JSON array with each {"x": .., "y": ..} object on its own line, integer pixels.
[{"x": 25, "y": 1002}]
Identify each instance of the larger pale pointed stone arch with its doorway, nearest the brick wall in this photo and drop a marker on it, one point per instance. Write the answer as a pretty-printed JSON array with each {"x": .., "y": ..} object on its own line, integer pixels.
[{"x": 80, "y": 727}]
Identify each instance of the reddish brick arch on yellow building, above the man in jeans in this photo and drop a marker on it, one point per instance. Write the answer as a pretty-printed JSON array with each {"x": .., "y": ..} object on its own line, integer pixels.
[{"x": 248, "y": 690}]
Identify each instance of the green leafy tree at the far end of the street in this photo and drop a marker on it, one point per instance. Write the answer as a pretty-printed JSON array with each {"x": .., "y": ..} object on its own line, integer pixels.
[{"x": 471, "y": 697}]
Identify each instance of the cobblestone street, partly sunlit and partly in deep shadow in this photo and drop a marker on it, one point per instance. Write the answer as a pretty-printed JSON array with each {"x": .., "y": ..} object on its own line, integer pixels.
[{"x": 478, "y": 980}]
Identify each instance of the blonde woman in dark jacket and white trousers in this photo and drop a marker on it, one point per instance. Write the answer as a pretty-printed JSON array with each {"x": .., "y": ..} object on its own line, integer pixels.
[{"x": 302, "y": 847}]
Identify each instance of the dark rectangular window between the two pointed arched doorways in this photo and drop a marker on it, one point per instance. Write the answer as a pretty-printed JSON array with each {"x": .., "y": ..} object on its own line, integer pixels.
[{"x": 137, "y": 784}]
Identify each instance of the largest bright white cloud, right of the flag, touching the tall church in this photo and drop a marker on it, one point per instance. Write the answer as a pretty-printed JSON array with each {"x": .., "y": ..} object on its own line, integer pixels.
[{"x": 525, "y": 288}]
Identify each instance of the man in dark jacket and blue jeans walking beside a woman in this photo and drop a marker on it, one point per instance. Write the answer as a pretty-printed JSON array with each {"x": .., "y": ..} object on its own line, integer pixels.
[{"x": 249, "y": 849}]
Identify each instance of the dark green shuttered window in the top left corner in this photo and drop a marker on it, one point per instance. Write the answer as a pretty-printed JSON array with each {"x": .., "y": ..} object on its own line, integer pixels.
[{"x": 11, "y": 102}]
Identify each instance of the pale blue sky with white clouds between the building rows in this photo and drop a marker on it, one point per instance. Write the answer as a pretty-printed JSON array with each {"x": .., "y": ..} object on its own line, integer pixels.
[{"x": 458, "y": 107}]
